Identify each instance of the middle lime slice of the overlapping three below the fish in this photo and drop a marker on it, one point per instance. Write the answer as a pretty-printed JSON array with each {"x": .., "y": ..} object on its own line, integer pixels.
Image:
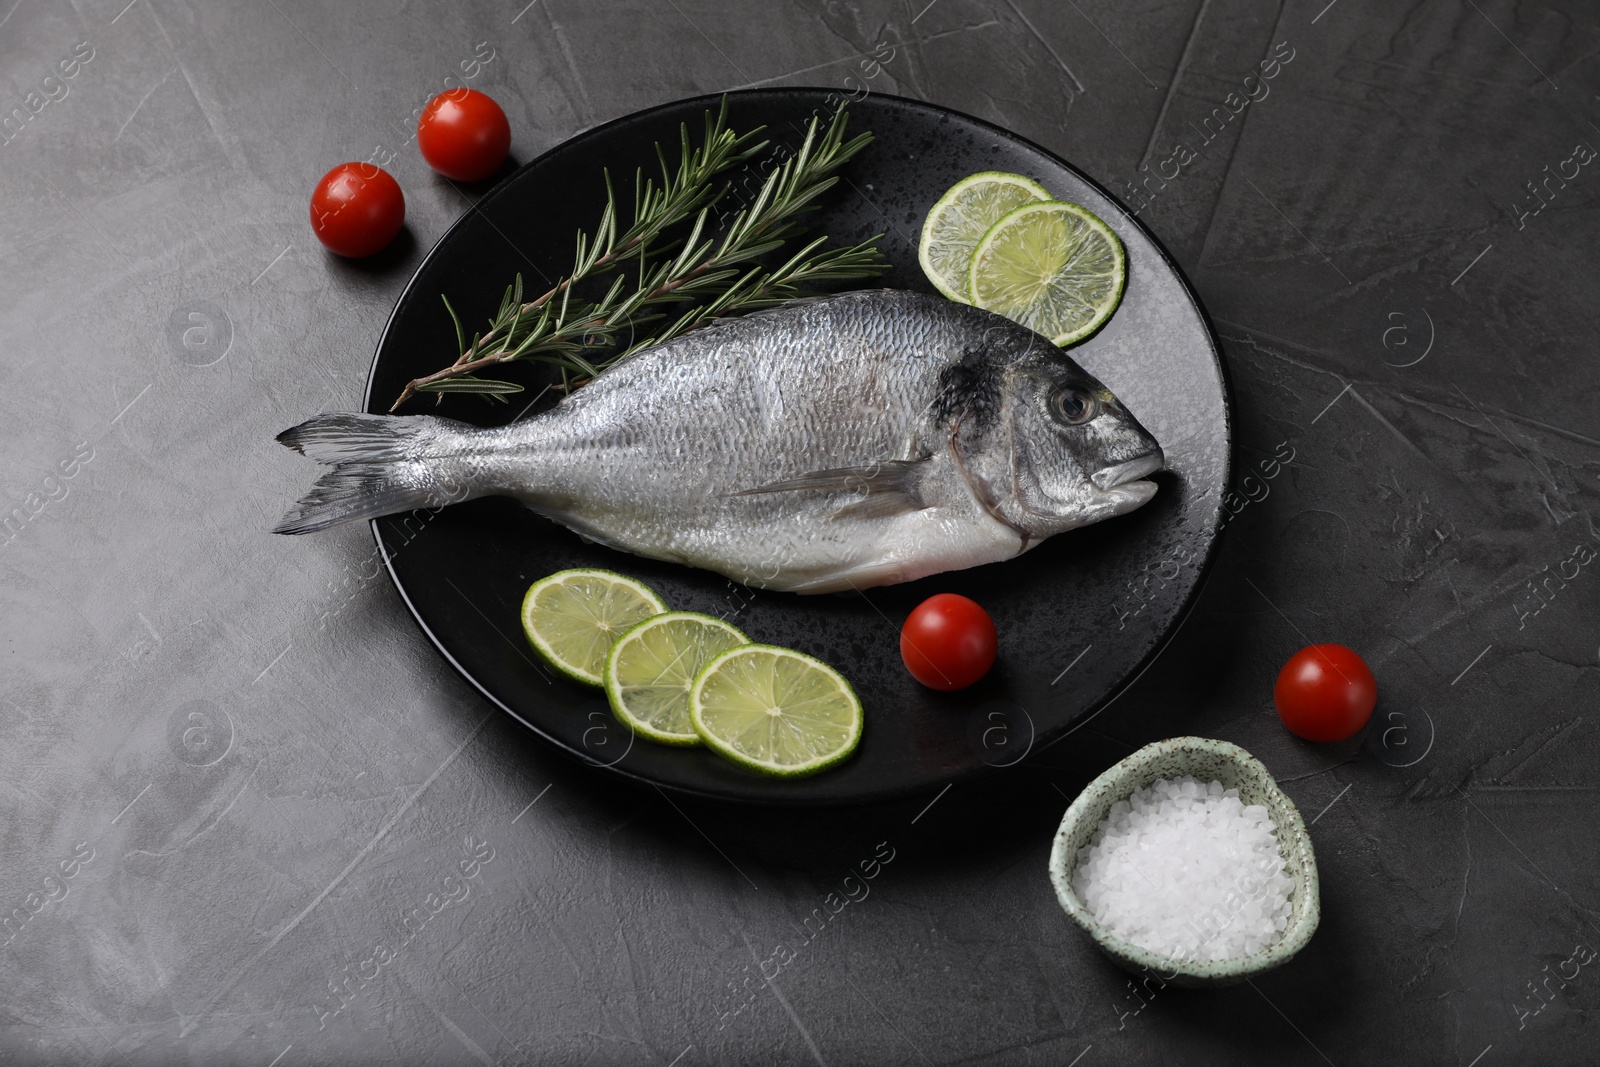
[{"x": 650, "y": 673}]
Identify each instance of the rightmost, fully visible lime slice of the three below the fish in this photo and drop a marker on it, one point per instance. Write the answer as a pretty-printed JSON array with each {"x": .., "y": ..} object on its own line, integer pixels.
[{"x": 775, "y": 711}]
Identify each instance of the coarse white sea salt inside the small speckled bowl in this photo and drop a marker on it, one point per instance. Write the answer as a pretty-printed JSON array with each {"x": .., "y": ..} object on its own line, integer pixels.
[{"x": 1190, "y": 871}]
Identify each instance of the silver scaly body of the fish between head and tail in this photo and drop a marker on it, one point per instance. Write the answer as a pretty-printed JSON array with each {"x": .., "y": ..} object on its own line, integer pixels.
[{"x": 652, "y": 457}]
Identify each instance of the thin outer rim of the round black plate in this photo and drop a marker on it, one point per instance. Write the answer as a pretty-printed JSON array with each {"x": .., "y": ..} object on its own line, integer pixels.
[{"x": 1114, "y": 693}]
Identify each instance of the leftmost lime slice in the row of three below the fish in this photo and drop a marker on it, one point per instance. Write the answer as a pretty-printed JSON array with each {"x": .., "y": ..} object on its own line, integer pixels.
[{"x": 574, "y": 617}]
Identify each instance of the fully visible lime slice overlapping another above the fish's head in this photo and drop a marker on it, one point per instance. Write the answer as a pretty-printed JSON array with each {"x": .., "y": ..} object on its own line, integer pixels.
[{"x": 1050, "y": 266}]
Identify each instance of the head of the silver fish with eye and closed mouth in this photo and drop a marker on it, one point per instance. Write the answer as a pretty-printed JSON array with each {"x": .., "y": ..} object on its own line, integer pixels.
[{"x": 1058, "y": 450}]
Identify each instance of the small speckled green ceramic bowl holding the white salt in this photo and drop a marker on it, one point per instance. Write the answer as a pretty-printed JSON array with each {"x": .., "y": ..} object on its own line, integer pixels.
[{"x": 1207, "y": 761}]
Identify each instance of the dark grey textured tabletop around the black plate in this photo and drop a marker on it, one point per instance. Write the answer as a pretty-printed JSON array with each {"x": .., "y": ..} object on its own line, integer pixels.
[{"x": 254, "y": 818}]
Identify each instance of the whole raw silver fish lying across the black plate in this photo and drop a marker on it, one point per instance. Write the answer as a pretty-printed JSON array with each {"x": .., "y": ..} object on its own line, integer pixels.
[{"x": 842, "y": 442}]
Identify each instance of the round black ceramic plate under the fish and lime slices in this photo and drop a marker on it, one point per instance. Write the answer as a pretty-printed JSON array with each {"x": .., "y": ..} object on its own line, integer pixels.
[{"x": 1079, "y": 617}]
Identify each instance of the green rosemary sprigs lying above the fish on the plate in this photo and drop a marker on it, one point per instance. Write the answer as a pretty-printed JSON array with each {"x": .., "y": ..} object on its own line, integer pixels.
[{"x": 716, "y": 276}]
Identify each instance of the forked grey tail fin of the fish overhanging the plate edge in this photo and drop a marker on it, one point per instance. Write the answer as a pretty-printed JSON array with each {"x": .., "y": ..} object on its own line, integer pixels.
[{"x": 382, "y": 465}]
